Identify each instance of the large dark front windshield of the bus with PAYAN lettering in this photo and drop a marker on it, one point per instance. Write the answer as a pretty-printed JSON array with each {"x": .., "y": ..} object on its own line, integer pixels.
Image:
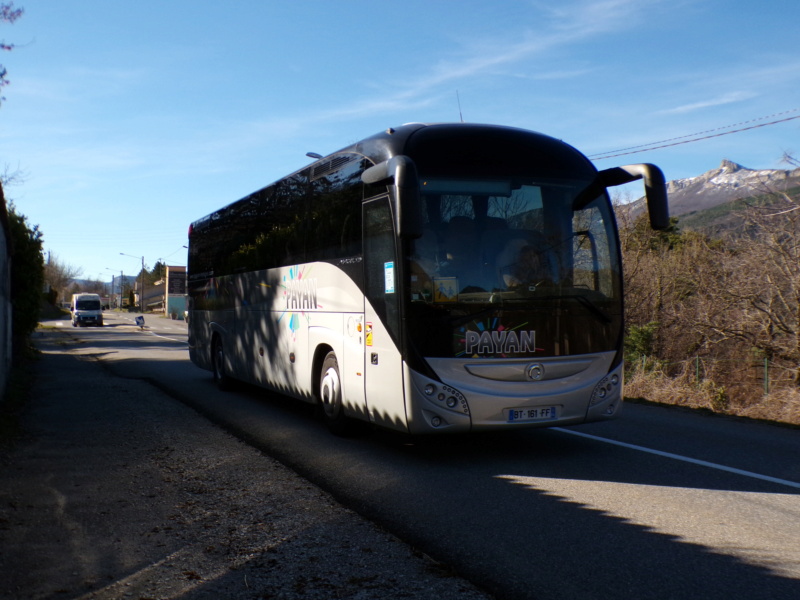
[{"x": 513, "y": 268}]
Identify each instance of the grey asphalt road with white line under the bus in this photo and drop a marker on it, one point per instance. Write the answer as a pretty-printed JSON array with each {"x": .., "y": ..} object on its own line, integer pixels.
[{"x": 660, "y": 503}]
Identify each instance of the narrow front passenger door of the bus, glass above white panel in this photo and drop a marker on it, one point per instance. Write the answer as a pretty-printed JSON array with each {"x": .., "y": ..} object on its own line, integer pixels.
[{"x": 383, "y": 368}]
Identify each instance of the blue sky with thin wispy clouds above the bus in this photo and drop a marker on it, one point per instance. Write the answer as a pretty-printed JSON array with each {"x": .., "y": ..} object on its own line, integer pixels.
[{"x": 125, "y": 121}]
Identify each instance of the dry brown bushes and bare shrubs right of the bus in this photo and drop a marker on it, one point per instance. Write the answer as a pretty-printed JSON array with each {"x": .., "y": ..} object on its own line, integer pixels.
[{"x": 714, "y": 318}]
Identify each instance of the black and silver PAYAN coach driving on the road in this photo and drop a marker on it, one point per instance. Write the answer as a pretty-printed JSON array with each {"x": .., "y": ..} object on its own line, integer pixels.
[{"x": 430, "y": 278}]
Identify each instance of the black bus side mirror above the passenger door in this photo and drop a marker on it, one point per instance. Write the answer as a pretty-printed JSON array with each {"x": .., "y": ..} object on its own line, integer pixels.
[{"x": 406, "y": 202}]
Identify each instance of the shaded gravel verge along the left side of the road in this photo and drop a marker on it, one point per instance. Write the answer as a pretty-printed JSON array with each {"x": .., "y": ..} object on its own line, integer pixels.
[{"x": 116, "y": 490}]
